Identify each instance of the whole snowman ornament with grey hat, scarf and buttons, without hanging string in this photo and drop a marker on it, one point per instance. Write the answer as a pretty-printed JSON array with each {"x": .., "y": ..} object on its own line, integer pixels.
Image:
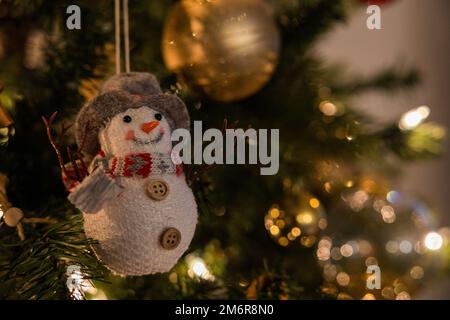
[{"x": 135, "y": 201}]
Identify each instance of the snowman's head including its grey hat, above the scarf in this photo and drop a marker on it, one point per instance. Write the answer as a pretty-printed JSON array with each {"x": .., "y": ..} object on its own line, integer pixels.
[{"x": 130, "y": 115}]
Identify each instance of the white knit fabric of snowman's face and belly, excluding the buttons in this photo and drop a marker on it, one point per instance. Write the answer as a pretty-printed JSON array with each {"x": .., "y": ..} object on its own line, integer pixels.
[{"x": 130, "y": 226}]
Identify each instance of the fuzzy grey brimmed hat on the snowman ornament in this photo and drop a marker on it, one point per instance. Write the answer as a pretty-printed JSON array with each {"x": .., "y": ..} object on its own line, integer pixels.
[{"x": 120, "y": 93}]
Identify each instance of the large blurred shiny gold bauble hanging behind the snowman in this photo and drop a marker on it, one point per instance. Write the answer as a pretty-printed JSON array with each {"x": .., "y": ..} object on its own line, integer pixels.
[{"x": 225, "y": 49}]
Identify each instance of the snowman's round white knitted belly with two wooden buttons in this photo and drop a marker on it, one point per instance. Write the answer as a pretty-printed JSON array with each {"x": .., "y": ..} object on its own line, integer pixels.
[{"x": 131, "y": 228}]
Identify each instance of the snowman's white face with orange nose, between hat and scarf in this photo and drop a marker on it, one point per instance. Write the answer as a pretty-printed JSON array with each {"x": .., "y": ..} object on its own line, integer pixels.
[{"x": 141, "y": 130}]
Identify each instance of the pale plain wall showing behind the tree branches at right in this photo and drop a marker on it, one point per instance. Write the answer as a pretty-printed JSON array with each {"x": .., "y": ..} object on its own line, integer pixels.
[{"x": 413, "y": 32}]
